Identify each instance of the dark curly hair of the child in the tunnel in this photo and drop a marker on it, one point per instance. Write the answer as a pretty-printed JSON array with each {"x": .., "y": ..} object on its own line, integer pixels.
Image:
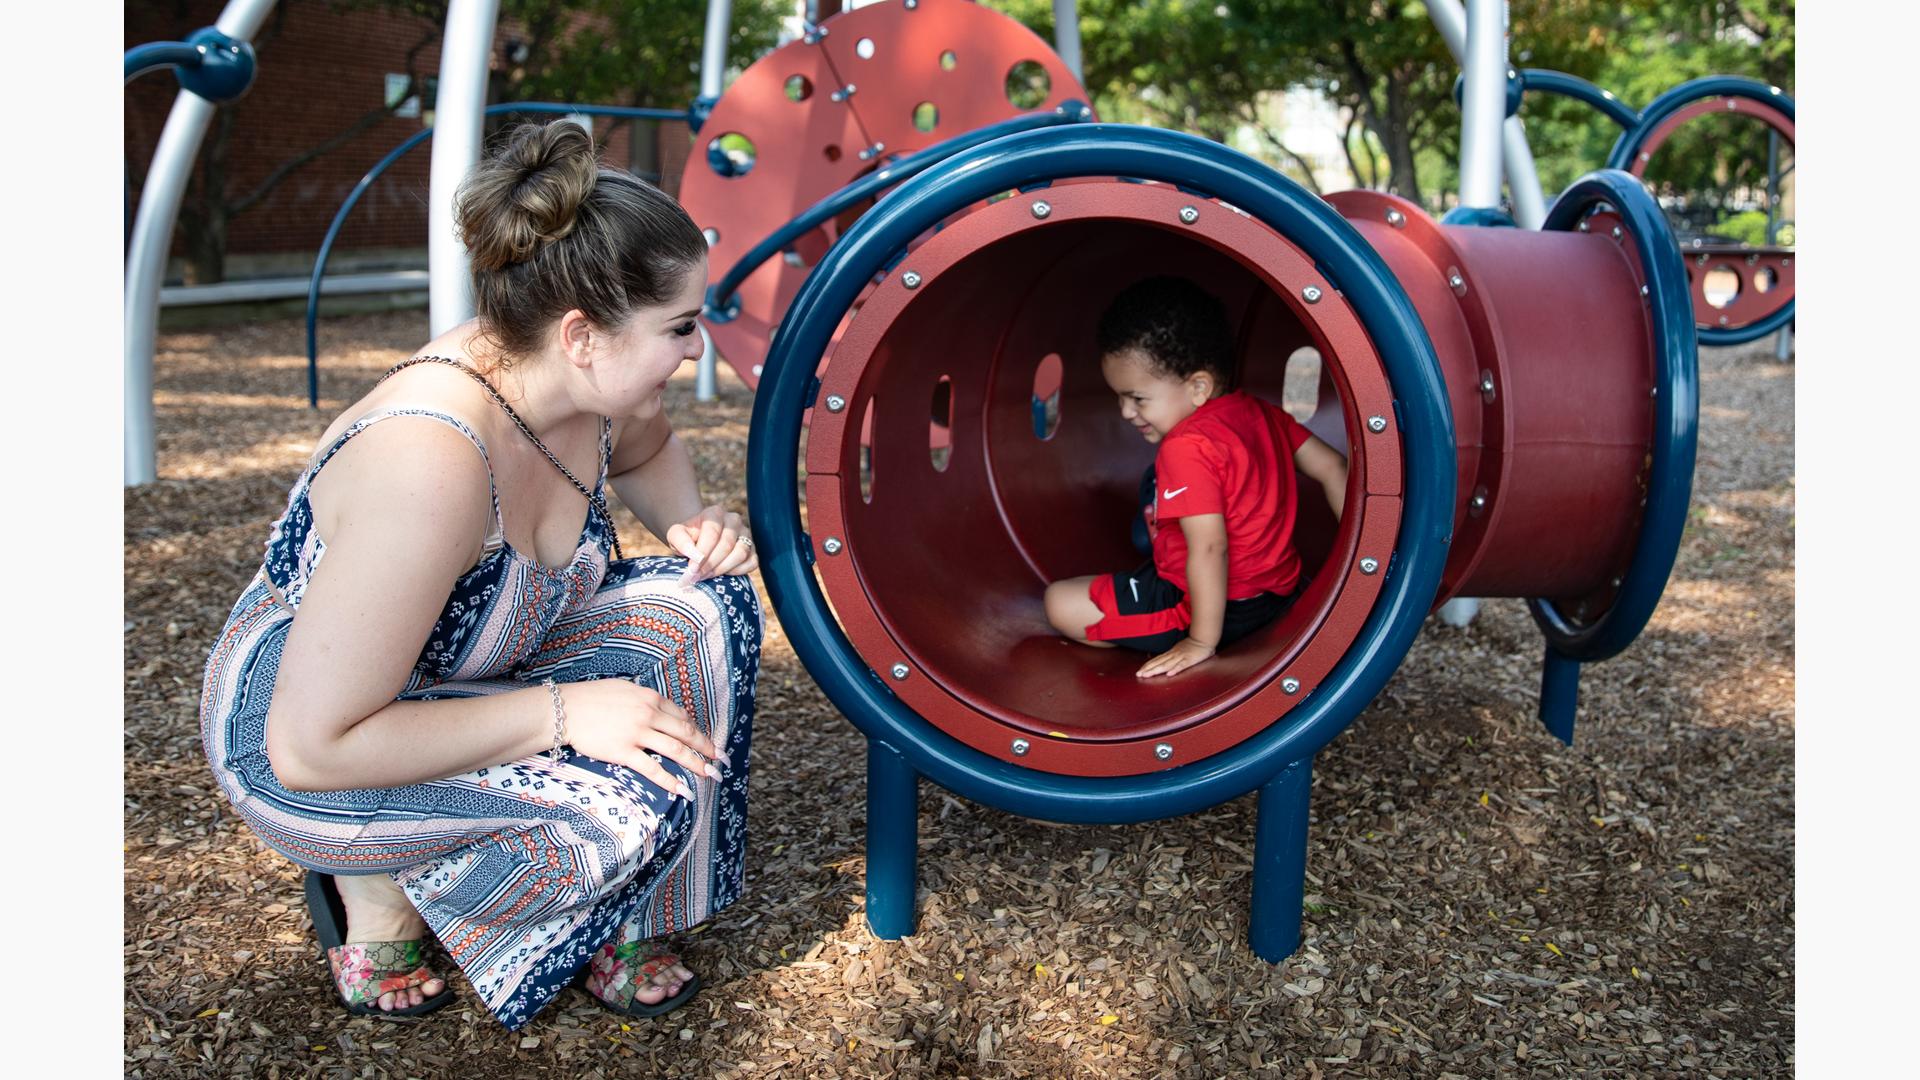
[{"x": 1180, "y": 328}]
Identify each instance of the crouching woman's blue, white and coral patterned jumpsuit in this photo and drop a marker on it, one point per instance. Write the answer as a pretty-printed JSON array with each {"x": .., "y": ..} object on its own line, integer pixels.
[{"x": 523, "y": 870}]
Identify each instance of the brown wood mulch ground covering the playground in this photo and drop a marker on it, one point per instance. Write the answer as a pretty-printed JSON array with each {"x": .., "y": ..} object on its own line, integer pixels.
[{"x": 1483, "y": 902}]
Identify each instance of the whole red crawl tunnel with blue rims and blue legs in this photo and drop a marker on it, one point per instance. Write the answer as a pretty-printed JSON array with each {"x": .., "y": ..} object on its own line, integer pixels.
[{"x": 1518, "y": 408}]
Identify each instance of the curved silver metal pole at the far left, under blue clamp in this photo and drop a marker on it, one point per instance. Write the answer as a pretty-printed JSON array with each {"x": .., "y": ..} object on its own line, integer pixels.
[{"x": 147, "y": 251}]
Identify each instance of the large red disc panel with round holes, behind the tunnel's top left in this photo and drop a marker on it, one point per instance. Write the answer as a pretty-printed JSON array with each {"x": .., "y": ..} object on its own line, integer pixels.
[{"x": 807, "y": 137}]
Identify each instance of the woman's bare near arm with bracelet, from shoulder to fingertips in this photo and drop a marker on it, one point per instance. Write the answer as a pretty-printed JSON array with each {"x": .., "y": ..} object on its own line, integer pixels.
[{"x": 404, "y": 510}]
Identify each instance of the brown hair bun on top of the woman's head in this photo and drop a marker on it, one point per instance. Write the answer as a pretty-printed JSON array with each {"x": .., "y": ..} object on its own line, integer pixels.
[{"x": 525, "y": 195}]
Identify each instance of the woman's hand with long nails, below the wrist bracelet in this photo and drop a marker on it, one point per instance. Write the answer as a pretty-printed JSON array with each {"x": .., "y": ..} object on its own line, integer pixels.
[{"x": 621, "y": 722}]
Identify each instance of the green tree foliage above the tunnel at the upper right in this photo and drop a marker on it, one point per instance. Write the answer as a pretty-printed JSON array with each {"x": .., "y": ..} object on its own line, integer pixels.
[{"x": 1205, "y": 66}]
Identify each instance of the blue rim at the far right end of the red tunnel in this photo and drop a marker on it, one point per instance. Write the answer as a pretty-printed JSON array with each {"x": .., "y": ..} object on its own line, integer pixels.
[{"x": 1675, "y": 418}]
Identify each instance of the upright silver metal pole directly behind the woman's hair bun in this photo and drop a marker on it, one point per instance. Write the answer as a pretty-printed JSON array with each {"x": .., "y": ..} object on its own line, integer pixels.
[{"x": 464, "y": 64}]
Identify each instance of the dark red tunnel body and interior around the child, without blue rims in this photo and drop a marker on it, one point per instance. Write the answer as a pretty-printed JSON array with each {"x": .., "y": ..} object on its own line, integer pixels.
[{"x": 957, "y": 478}]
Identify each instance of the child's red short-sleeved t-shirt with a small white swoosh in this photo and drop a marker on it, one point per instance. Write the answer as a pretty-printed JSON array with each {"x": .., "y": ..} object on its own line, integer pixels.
[{"x": 1234, "y": 456}]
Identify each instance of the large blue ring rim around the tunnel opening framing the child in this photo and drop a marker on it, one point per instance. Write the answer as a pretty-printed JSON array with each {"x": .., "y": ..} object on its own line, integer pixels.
[{"x": 1038, "y": 159}]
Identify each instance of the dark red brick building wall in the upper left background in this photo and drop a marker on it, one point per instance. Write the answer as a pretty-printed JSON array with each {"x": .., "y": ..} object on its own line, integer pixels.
[{"x": 320, "y": 70}]
